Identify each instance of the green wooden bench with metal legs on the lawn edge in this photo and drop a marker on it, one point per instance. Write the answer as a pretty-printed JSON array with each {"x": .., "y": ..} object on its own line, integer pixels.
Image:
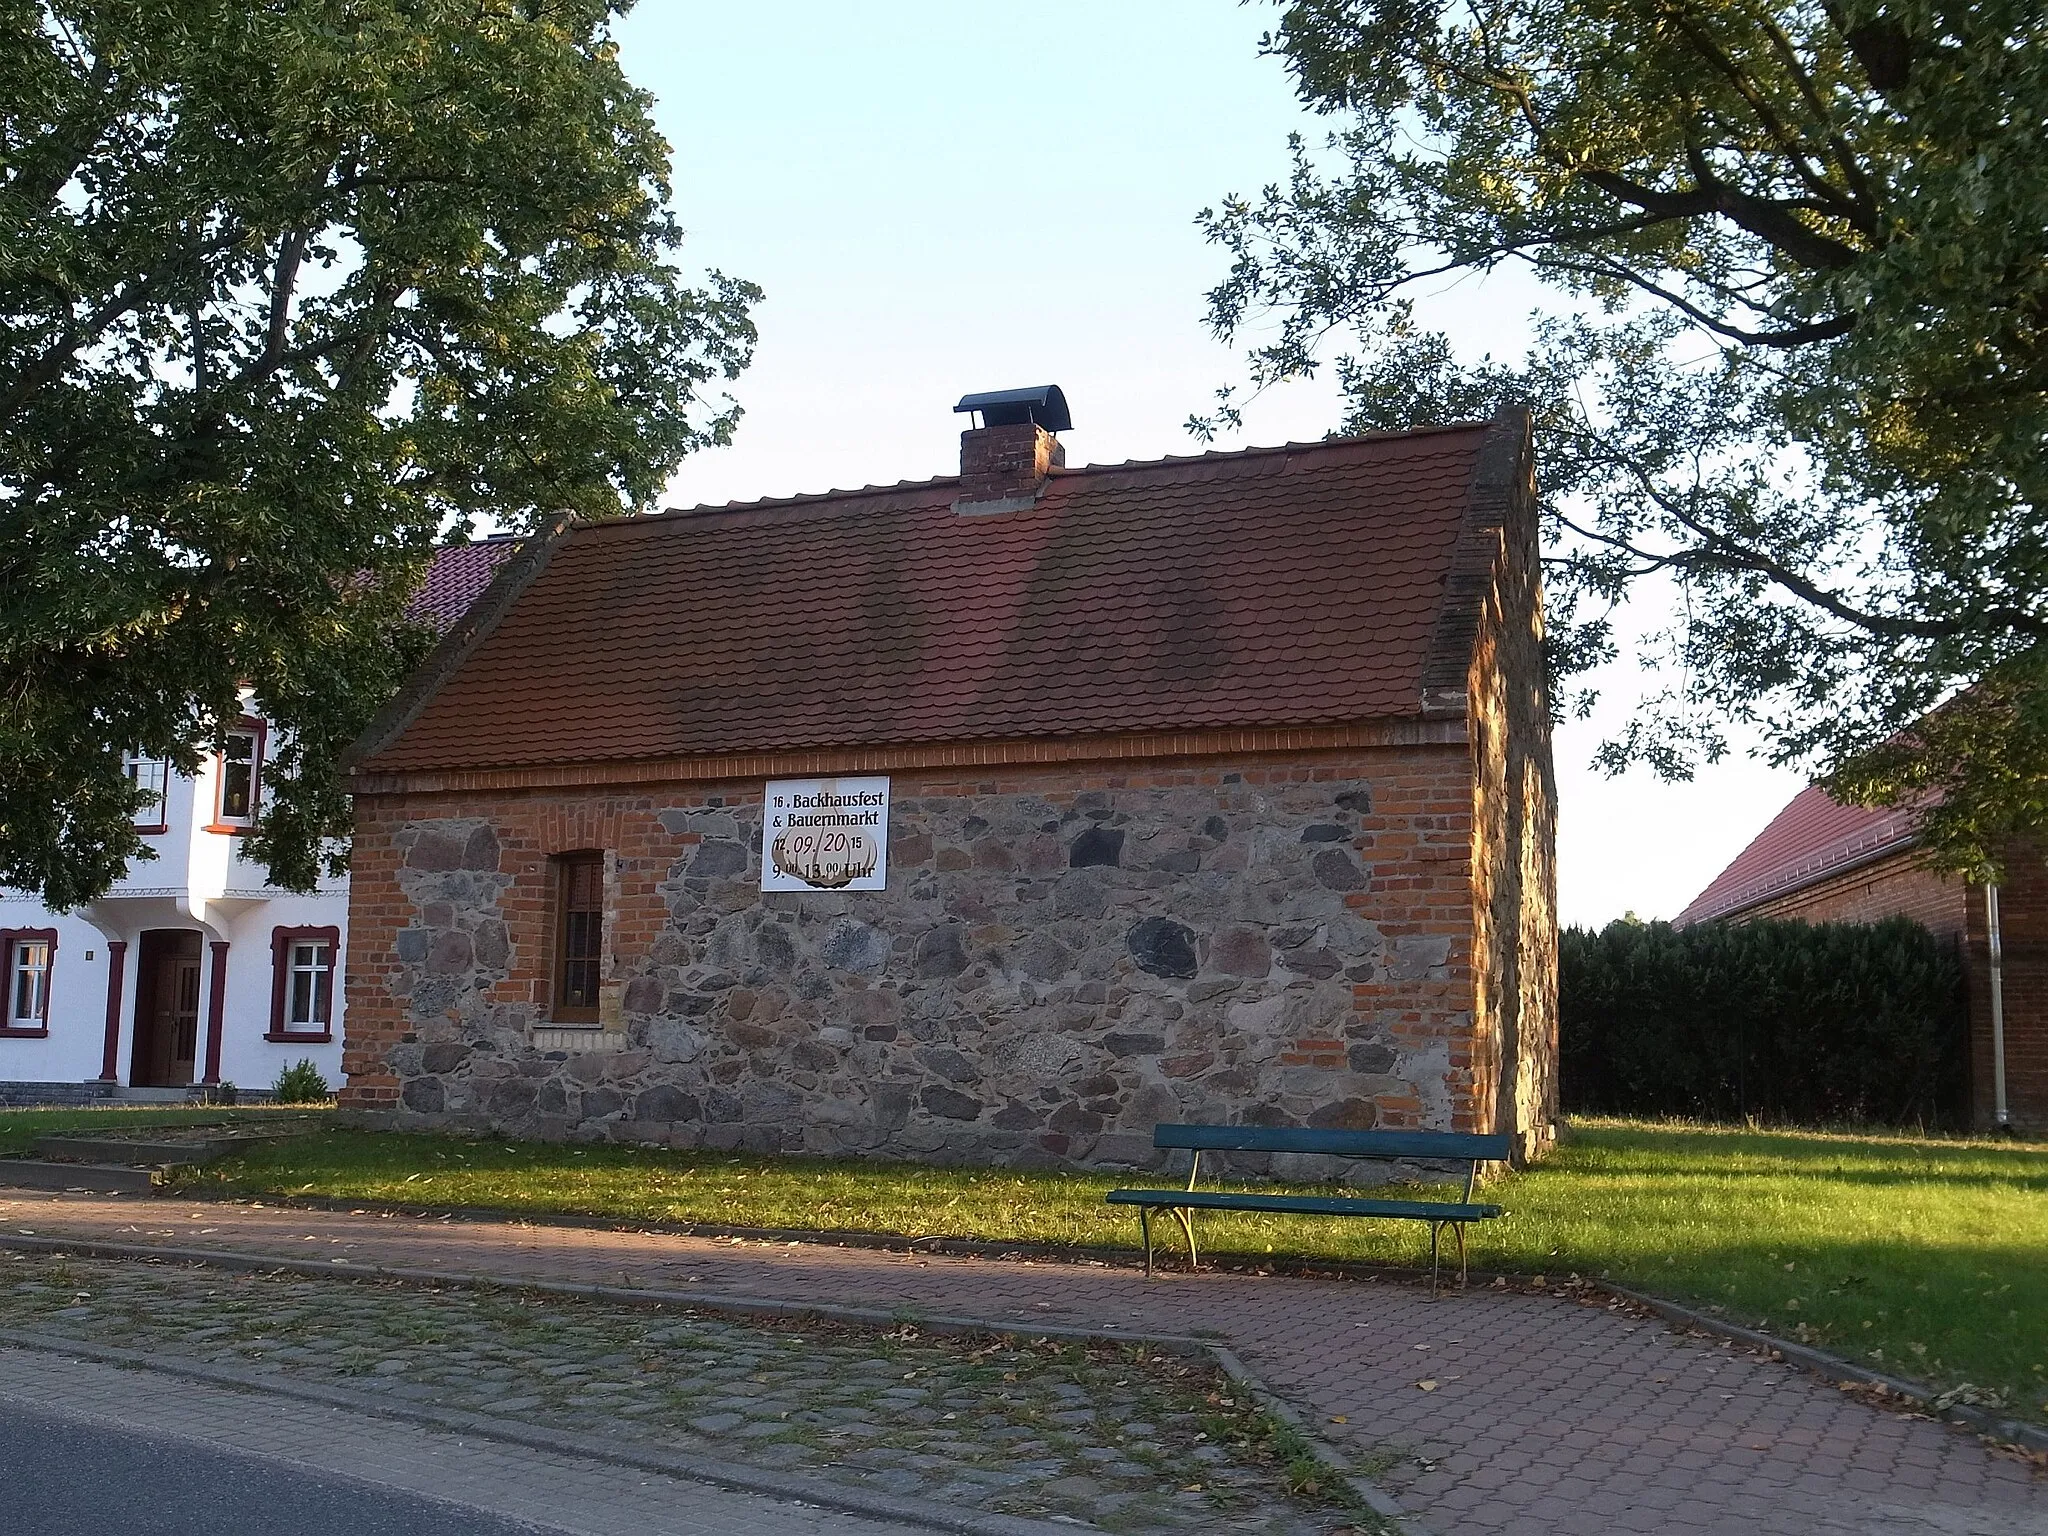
[{"x": 1383, "y": 1146}]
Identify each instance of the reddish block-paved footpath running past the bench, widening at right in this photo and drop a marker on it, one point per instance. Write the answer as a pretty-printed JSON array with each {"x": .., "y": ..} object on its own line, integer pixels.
[{"x": 1523, "y": 1414}]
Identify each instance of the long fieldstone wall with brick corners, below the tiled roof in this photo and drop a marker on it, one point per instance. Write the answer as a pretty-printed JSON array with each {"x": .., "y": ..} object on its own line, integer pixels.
[{"x": 1060, "y": 964}]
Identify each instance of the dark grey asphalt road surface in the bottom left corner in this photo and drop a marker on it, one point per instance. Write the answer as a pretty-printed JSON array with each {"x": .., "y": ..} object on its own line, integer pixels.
[{"x": 62, "y": 1478}]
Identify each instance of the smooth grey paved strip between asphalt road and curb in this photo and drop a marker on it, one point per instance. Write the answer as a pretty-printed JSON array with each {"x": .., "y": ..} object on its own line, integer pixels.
[{"x": 540, "y": 1490}]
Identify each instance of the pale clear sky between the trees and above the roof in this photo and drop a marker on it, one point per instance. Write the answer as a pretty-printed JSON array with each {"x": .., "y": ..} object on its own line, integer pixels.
[{"x": 951, "y": 198}]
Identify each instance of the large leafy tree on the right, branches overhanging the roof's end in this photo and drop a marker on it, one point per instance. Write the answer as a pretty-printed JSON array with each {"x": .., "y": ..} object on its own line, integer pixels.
[{"x": 1795, "y": 361}]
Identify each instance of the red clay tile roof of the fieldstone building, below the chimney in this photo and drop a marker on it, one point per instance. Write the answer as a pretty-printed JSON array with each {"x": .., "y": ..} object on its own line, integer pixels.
[{"x": 1279, "y": 587}]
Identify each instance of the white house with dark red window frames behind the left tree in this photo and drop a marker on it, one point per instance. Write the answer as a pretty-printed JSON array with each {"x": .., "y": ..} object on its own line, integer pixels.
[{"x": 194, "y": 970}]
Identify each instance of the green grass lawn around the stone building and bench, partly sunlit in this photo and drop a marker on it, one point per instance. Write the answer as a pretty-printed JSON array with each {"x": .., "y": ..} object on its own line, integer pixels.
[{"x": 1918, "y": 1254}]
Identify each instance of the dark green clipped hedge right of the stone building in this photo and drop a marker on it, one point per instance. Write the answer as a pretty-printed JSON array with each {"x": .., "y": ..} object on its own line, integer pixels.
[{"x": 1779, "y": 1021}]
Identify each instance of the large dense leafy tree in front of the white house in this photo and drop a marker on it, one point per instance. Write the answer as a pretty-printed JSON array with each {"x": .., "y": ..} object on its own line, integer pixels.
[{"x": 290, "y": 290}]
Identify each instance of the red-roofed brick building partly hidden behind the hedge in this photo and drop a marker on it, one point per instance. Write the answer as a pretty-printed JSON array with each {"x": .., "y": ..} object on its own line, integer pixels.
[{"x": 1822, "y": 861}]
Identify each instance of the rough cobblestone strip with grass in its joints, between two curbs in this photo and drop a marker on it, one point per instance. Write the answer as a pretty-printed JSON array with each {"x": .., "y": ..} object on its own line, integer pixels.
[{"x": 1119, "y": 1437}]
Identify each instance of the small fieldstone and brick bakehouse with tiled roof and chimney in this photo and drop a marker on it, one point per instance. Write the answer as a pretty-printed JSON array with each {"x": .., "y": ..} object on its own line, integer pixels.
[{"x": 1215, "y": 790}]
